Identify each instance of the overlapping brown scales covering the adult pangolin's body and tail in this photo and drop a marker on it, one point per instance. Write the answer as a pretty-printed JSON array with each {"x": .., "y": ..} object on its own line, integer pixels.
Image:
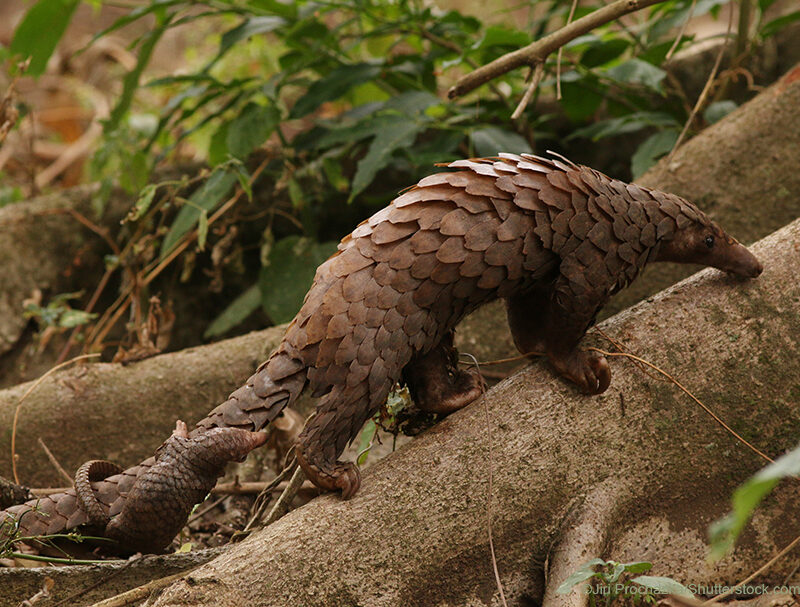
[{"x": 405, "y": 277}]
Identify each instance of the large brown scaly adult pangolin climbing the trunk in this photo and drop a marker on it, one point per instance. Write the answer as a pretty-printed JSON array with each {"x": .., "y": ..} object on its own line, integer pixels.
[{"x": 554, "y": 239}]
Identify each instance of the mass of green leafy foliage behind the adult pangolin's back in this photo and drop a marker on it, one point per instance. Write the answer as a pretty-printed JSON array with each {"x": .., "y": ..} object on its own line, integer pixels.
[{"x": 343, "y": 104}]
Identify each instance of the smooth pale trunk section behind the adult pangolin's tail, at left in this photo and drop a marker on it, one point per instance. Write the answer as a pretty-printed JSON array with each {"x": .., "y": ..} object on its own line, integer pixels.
[{"x": 121, "y": 412}]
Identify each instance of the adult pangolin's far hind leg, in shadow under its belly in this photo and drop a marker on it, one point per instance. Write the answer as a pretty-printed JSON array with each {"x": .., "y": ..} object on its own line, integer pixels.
[{"x": 436, "y": 383}]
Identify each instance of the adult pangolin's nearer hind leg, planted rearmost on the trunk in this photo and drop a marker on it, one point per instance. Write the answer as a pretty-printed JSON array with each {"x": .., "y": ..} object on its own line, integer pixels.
[{"x": 339, "y": 416}]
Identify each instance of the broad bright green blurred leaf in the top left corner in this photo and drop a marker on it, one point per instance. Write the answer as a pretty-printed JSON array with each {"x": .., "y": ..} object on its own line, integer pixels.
[{"x": 40, "y": 31}]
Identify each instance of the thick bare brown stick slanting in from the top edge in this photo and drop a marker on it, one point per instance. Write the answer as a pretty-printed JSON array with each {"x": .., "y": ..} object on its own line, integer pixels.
[{"x": 539, "y": 50}]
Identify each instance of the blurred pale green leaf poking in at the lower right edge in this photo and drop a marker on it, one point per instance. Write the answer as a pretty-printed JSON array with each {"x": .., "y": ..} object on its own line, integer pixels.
[{"x": 745, "y": 499}]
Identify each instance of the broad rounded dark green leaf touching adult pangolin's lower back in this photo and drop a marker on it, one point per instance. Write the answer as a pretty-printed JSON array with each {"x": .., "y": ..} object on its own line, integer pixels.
[{"x": 285, "y": 281}]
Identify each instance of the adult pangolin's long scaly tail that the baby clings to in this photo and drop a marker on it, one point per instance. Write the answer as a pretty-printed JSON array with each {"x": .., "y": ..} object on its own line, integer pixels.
[{"x": 275, "y": 385}]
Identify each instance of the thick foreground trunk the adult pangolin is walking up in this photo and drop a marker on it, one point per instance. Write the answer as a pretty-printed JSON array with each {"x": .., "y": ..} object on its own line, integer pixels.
[{"x": 641, "y": 466}]
